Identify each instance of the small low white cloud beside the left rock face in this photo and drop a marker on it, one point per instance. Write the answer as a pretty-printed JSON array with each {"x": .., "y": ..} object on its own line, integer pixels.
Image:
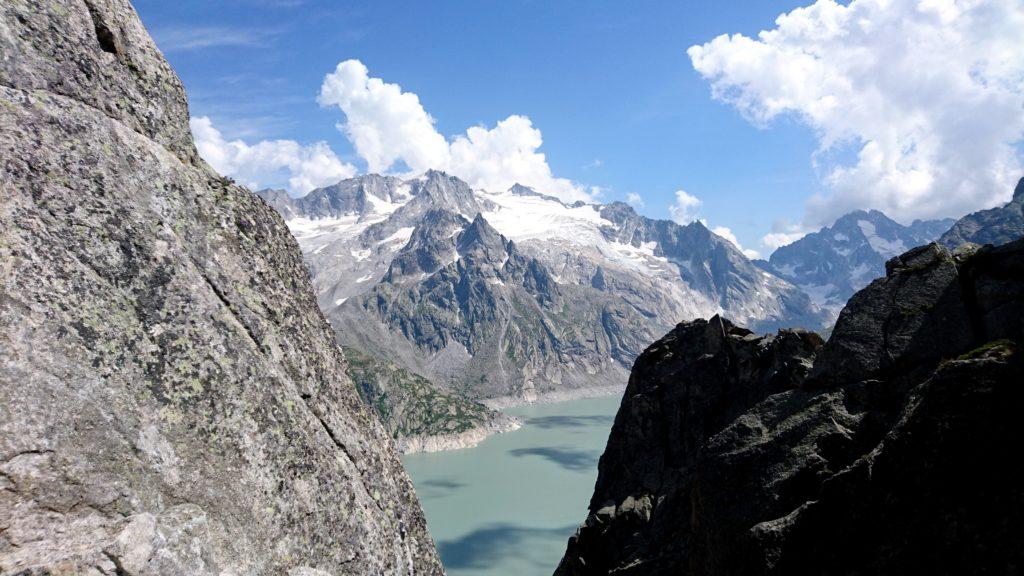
[{"x": 268, "y": 162}]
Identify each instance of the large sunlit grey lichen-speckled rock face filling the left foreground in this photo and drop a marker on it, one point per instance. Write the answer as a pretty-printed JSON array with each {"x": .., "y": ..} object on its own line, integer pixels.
[{"x": 172, "y": 400}]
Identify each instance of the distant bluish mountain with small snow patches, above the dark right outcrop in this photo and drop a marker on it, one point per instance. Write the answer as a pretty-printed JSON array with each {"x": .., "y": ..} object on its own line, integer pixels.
[{"x": 833, "y": 264}]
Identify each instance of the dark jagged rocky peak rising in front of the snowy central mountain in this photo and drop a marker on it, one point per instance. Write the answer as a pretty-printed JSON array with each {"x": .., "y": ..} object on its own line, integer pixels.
[{"x": 461, "y": 305}]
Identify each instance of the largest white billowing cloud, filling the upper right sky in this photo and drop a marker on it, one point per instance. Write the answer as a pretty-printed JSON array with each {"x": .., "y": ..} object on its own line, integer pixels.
[{"x": 929, "y": 95}]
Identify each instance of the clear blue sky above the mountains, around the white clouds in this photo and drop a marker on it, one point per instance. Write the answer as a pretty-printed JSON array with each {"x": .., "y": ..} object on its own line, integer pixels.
[{"x": 610, "y": 85}]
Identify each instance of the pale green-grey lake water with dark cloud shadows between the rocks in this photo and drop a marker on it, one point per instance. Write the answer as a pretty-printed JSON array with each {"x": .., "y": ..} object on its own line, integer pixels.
[{"x": 507, "y": 507}]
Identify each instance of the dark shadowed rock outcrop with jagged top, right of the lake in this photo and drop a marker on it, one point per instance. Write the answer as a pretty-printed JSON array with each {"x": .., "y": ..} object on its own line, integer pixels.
[{"x": 887, "y": 451}]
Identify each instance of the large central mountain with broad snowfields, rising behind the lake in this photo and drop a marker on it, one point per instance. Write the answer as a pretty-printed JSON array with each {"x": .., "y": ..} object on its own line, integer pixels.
[{"x": 517, "y": 295}]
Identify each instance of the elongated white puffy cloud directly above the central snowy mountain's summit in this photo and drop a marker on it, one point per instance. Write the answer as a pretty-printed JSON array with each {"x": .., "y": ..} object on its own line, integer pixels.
[{"x": 390, "y": 128}]
